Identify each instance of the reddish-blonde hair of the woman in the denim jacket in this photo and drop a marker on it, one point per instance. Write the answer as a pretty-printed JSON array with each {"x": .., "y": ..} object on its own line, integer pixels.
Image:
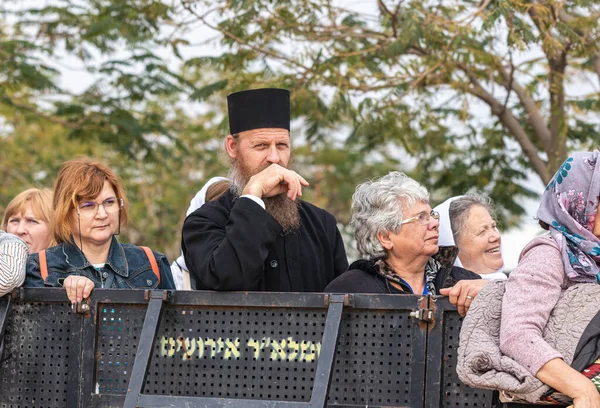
[{"x": 82, "y": 179}]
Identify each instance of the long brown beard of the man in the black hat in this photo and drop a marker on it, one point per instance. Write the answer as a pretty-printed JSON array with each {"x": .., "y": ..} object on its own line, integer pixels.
[{"x": 284, "y": 210}]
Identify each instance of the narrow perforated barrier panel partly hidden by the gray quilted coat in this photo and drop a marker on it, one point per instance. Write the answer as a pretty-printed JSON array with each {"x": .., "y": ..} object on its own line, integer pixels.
[{"x": 454, "y": 393}]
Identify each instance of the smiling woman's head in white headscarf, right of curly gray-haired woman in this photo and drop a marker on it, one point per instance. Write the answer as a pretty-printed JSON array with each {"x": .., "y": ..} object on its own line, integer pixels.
[{"x": 468, "y": 222}]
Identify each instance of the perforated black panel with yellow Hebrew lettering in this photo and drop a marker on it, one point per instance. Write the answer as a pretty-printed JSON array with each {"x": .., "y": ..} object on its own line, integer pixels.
[{"x": 227, "y": 352}]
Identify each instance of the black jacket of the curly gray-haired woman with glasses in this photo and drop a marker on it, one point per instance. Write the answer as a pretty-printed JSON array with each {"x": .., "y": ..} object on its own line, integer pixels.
[{"x": 362, "y": 277}]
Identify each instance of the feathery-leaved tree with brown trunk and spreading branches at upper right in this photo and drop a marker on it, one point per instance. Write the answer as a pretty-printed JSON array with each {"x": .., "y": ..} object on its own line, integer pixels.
[{"x": 466, "y": 91}]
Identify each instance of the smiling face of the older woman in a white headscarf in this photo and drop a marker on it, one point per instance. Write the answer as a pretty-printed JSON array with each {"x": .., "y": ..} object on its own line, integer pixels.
[{"x": 479, "y": 242}]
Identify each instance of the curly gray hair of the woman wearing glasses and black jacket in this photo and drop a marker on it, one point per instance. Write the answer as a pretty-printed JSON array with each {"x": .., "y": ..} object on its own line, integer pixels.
[{"x": 378, "y": 206}]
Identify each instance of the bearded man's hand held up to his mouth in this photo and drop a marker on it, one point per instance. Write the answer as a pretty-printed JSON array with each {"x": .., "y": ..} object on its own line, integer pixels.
[{"x": 275, "y": 180}]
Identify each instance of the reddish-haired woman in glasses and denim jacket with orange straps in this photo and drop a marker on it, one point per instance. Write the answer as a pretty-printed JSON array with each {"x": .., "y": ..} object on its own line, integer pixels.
[{"x": 90, "y": 208}]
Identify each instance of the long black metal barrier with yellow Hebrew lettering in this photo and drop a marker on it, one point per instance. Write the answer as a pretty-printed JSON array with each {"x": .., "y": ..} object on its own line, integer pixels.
[{"x": 208, "y": 349}]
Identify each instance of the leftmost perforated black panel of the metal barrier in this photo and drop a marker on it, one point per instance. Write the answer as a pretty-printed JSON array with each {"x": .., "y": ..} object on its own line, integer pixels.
[{"x": 35, "y": 367}]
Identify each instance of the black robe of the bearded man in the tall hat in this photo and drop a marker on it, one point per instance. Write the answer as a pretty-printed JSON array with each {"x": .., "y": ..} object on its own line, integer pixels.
[{"x": 234, "y": 244}]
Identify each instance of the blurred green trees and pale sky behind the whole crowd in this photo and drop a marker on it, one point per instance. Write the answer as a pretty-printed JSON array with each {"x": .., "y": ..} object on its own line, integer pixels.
[{"x": 459, "y": 93}]
